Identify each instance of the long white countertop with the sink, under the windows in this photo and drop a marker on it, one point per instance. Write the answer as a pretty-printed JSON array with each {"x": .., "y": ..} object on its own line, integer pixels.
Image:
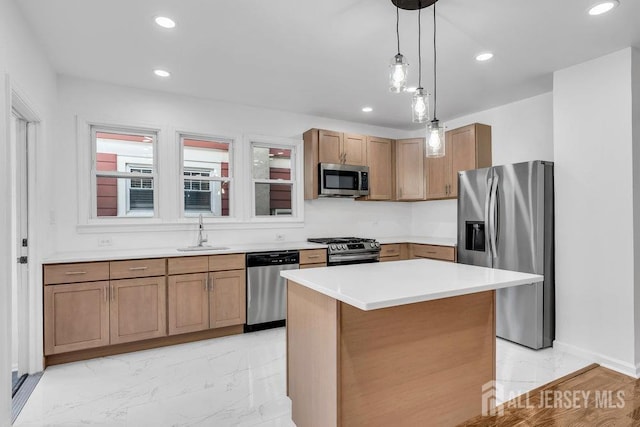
[{"x": 117, "y": 254}]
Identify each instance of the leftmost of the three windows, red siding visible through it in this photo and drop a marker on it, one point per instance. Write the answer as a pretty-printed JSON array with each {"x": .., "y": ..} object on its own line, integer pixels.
[{"x": 124, "y": 172}]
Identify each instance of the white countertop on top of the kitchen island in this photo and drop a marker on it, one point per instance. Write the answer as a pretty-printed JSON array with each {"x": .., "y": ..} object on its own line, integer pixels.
[{"x": 390, "y": 284}]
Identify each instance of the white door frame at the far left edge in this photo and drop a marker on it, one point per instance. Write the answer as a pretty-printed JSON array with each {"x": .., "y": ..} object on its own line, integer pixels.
[{"x": 30, "y": 305}]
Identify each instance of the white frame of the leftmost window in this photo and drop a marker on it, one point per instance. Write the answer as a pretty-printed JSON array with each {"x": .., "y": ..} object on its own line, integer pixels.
[{"x": 94, "y": 129}]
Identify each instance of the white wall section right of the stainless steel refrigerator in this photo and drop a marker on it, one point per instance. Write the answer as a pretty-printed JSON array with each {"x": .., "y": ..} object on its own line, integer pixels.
[{"x": 593, "y": 150}]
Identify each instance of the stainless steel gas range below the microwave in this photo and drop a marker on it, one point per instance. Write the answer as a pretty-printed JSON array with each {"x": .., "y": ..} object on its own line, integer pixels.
[{"x": 350, "y": 250}]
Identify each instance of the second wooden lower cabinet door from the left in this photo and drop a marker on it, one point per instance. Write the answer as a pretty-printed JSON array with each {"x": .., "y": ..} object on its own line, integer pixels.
[{"x": 138, "y": 309}]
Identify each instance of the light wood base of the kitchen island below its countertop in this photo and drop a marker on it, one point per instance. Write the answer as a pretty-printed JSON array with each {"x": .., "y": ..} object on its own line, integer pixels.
[{"x": 396, "y": 366}]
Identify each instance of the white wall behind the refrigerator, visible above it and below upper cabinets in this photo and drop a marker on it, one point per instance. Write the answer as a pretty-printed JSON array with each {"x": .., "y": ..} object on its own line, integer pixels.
[{"x": 521, "y": 131}]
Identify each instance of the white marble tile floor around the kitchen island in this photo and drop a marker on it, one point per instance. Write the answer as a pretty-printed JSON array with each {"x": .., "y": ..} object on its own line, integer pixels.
[{"x": 231, "y": 381}]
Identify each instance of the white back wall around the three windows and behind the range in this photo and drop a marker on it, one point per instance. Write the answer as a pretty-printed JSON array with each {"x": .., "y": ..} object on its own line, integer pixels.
[{"x": 108, "y": 103}]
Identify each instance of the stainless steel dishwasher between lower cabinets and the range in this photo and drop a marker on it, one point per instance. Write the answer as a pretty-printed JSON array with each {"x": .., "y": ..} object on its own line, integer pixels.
[{"x": 266, "y": 290}]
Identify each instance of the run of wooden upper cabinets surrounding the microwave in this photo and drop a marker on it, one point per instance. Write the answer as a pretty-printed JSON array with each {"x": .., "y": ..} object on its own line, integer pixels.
[{"x": 399, "y": 170}]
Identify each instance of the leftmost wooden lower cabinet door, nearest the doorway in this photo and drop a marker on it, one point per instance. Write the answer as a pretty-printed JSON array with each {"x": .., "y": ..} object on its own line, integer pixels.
[{"x": 76, "y": 317}]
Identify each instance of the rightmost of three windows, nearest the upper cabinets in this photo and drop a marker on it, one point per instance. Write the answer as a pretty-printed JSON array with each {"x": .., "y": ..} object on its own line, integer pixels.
[{"x": 274, "y": 186}]
